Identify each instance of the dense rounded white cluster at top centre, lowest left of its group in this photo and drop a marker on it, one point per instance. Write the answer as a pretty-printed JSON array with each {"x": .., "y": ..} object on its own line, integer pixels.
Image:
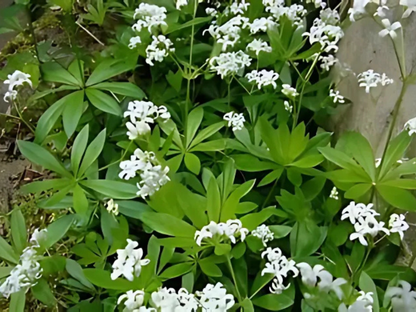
[{"x": 231, "y": 63}]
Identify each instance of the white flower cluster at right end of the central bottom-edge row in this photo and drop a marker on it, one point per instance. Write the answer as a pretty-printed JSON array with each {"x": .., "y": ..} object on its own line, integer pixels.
[{"x": 215, "y": 298}]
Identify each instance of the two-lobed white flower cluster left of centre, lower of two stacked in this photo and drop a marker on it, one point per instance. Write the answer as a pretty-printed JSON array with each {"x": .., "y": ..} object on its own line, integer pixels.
[{"x": 152, "y": 173}]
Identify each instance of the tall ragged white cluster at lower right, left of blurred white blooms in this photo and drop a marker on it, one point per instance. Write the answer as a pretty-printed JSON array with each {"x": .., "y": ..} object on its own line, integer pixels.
[{"x": 279, "y": 266}]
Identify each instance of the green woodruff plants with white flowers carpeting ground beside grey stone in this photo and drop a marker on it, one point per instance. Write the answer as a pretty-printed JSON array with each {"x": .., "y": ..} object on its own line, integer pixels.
[{"x": 187, "y": 166}]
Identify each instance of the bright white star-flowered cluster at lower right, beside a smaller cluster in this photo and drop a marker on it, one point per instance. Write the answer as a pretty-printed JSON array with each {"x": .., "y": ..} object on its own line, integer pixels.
[{"x": 363, "y": 218}]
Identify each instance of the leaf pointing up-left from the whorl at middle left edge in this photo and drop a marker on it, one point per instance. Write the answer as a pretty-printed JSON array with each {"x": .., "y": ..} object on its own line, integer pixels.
[{"x": 40, "y": 156}]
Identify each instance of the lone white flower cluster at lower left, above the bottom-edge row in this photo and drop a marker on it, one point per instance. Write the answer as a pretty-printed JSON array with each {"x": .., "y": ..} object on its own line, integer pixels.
[{"x": 129, "y": 261}]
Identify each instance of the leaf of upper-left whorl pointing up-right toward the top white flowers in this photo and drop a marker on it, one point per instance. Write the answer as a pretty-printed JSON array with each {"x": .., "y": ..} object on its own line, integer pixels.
[{"x": 110, "y": 68}]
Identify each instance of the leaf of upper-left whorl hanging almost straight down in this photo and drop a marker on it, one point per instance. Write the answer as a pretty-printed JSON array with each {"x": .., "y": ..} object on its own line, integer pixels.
[{"x": 72, "y": 112}]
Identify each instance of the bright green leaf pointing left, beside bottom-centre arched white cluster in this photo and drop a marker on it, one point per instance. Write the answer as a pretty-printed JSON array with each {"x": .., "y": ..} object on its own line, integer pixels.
[{"x": 168, "y": 225}]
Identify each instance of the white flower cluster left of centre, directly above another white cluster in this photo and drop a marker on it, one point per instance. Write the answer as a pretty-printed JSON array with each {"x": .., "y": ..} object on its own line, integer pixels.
[{"x": 142, "y": 114}]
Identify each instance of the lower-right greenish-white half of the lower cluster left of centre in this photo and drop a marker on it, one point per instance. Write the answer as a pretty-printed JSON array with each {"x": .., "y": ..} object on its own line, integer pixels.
[{"x": 153, "y": 179}]
